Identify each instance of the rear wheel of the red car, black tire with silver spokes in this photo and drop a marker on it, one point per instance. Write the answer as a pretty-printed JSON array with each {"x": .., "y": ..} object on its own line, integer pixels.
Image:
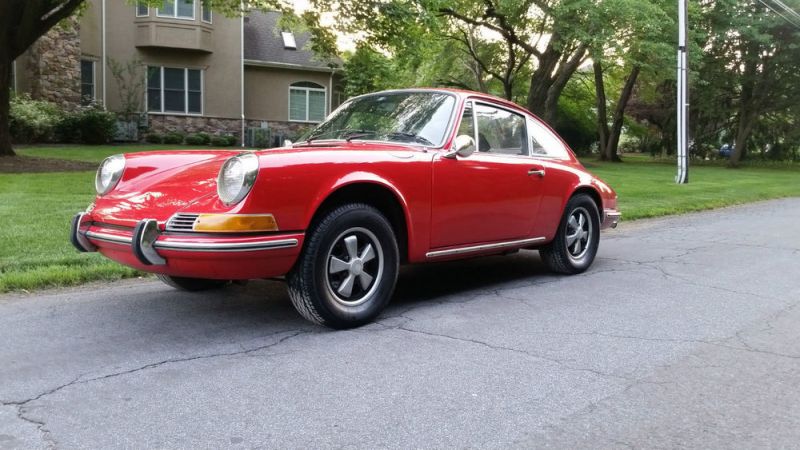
[{"x": 573, "y": 251}]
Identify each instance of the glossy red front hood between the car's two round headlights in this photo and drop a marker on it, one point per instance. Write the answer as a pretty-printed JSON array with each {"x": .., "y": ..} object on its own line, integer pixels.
[{"x": 156, "y": 185}]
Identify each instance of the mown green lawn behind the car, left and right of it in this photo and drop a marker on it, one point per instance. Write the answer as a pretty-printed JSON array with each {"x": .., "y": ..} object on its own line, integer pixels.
[{"x": 35, "y": 209}]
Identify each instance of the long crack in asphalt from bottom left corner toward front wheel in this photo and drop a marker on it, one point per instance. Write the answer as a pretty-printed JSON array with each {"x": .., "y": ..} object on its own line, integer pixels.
[{"x": 46, "y": 436}]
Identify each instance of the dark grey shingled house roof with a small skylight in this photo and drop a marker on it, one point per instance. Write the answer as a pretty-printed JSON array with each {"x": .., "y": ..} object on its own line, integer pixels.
[{"x": 263, "y": 44}]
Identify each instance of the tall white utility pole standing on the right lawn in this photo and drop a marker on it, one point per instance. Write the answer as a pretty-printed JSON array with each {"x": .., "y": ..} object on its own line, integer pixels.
[{"x": 683, "y": 88}]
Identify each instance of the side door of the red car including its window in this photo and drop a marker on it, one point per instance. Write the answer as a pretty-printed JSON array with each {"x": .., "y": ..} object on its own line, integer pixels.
[{"x": 492, "y": 195}]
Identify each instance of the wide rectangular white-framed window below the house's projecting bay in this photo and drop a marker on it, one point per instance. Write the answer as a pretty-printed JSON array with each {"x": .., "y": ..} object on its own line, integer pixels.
[{"x": 174, "y": 90}]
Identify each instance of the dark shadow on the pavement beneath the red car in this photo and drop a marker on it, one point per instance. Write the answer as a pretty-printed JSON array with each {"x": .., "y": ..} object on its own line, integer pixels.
[{"x": 264, "y": 304}]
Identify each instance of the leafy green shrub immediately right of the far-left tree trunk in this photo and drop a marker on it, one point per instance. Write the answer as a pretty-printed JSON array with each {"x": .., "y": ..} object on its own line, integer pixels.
[{"x": 33, "y": 120}]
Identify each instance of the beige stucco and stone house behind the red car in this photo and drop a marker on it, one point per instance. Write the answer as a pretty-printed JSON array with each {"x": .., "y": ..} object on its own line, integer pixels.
[{"x": 192, "y": 70}]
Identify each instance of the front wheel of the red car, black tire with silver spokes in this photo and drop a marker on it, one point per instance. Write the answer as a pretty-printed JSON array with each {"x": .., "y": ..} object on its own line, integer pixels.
[{"x": 335, "y": 251}]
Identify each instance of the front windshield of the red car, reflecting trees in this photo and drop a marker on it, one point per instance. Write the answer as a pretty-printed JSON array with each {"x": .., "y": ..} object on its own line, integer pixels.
[{"x": 415, "y": 117}]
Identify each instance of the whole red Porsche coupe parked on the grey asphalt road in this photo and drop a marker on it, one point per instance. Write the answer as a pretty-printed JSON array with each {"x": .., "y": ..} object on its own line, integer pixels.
[{"x": 393, "y": 177}]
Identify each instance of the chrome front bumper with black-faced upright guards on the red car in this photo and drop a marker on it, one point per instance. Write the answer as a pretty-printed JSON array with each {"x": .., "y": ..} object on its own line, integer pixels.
[{"x": 146, "y": 240}]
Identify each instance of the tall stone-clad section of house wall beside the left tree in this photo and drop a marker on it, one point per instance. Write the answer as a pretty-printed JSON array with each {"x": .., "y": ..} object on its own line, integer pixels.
[{"x": 54, "y": 65}]
